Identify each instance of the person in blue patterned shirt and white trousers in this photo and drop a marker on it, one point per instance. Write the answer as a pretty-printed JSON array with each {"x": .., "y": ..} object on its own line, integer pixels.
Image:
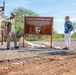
[{"x": 67, "y": 32}]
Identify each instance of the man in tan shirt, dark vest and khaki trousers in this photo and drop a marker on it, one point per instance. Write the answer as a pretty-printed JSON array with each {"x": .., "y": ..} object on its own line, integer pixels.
[{"x": 11, "y": 31}]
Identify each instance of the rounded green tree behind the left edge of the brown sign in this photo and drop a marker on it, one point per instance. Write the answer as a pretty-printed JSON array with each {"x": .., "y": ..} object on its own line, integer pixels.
[{"x": 19, "y": 21}]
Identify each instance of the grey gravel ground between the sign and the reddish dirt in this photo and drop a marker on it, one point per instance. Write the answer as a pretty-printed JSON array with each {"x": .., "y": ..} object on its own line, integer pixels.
[{"x": 31, "y": 52}]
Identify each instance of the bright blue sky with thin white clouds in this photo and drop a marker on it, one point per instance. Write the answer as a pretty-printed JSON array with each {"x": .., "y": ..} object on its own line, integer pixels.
[{"x": 47, "y": 8}]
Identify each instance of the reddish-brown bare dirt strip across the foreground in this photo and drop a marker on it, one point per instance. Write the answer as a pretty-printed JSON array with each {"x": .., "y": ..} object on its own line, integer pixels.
[{"x": 56, "y": 65}]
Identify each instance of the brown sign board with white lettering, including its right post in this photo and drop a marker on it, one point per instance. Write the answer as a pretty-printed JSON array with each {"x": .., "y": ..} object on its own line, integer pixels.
[{"x": 38, "y": 25}]
